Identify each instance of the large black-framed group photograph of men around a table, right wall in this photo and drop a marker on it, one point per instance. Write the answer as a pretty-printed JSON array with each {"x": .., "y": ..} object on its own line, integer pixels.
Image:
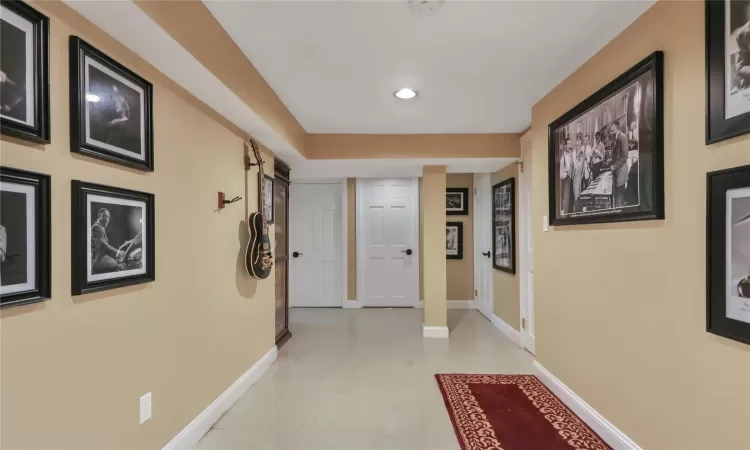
[{"x": 649, "y": 189}]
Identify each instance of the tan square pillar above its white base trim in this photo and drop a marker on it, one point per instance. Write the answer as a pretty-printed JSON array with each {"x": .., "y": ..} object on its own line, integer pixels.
[{"x": 434, "y": 262}]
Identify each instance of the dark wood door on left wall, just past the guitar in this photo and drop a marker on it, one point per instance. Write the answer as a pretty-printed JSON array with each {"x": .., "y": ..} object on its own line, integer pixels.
[{"x": 281, "y": 222}]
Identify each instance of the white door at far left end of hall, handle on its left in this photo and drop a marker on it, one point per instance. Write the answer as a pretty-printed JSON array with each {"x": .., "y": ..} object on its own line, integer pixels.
[{"x": 315, "y": 235}]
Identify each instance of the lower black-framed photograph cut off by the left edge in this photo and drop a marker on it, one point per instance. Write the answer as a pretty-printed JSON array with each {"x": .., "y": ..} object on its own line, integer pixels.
[{"x": 24, "y": 237}]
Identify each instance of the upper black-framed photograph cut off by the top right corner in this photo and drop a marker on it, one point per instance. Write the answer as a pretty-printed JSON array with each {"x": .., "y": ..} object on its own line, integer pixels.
[{"x": 727, "y": 69}]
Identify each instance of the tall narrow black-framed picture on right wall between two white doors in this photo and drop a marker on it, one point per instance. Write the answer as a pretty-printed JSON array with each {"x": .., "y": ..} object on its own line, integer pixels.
[{"x": 504, "y": 187}]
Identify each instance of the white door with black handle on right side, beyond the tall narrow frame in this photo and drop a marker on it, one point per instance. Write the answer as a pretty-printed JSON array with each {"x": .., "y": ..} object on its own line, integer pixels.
[{"x": 483, "y": 285}]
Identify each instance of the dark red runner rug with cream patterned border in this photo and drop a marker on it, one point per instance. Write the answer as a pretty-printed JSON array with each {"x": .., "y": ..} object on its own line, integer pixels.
[{"x": 512, "y": 412}]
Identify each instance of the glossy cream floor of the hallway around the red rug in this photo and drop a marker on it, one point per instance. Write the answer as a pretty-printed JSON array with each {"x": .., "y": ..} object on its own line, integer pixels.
[{"x": 360, "y": 379}]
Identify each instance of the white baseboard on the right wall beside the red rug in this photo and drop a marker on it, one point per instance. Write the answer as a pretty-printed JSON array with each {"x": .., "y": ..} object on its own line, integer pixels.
[{"x": 604, "y": 428}]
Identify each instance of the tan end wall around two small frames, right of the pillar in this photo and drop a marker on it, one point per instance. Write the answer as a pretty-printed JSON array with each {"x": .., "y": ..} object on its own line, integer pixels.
[{"x": 460, "y": 272}]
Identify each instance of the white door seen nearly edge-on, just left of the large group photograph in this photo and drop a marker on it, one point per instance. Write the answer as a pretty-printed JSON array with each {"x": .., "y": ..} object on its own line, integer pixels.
[{"x": 526, "y": 254}]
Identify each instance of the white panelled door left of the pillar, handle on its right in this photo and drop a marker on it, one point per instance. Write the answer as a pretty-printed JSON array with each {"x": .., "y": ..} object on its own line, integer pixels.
[{"x": 388, "y": 242}]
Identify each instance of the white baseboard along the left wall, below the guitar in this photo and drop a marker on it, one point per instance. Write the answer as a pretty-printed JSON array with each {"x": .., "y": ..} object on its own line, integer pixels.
[{"x": 198, "y": 427}]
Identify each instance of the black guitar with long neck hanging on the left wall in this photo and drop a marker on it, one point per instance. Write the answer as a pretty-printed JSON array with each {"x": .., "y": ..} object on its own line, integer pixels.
[{"x": 258, "y": 257}]
